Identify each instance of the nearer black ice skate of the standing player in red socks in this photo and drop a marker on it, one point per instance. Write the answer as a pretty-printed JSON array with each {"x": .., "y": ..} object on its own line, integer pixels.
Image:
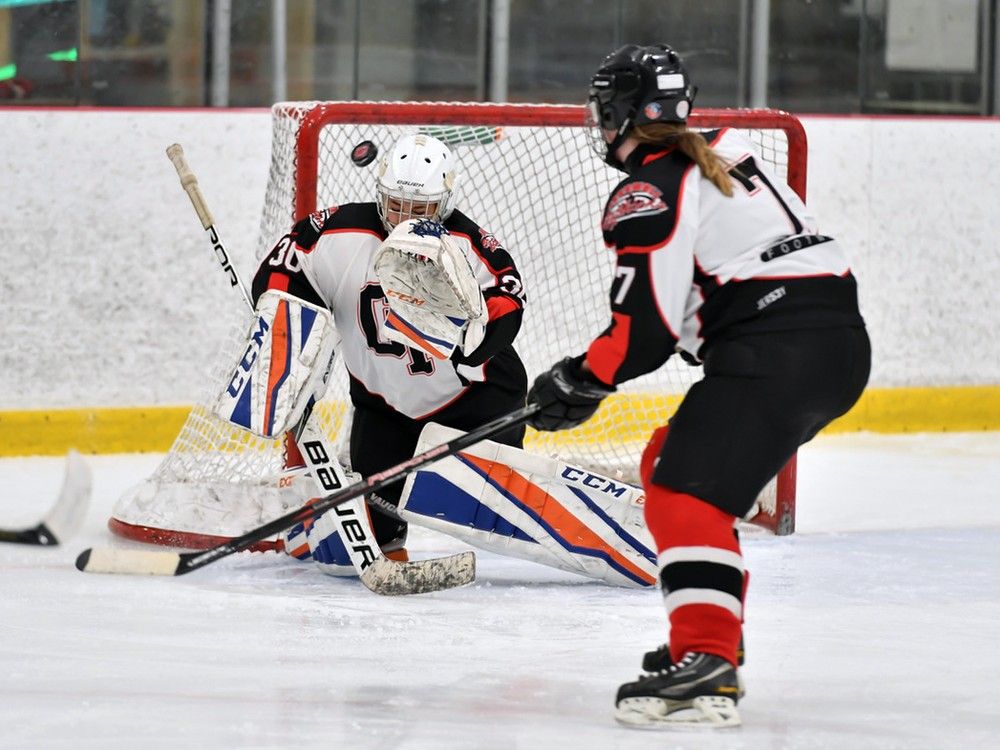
[{"x": 700, "y": 690}]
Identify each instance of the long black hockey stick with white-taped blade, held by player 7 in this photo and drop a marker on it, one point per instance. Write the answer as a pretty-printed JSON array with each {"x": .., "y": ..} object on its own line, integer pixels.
[{"x": 140, "y": 562}]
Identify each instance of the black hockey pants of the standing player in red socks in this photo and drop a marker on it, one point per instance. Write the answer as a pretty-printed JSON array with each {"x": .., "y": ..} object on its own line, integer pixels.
[{"x": 762, "y": 397}]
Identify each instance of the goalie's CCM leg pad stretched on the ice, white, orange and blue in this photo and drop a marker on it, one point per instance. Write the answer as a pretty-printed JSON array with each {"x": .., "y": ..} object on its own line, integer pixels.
[{"x": 514, "y": 503}]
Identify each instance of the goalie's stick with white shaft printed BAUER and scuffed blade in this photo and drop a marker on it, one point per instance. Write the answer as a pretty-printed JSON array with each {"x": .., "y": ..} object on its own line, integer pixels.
[{"x": 378, "y": 573}]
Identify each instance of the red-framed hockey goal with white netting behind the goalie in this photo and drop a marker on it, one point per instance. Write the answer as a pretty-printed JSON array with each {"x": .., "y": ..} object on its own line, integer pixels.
[{"x": 527, "y": 175}]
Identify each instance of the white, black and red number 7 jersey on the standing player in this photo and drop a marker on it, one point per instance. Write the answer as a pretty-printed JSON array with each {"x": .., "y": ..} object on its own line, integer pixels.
[{"x": 694, "y": 265}]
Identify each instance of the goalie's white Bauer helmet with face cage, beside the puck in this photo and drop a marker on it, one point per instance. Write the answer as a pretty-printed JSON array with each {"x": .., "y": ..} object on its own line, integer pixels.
[{"x": 416, "y": 180}]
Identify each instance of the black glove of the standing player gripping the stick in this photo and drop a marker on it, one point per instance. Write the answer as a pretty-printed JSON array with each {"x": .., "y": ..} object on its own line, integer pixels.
[{"x": 567, "y": 396}]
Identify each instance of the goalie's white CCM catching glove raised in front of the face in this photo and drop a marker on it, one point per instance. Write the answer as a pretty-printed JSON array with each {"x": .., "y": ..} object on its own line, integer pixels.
[{"x": 435, "y": 303}]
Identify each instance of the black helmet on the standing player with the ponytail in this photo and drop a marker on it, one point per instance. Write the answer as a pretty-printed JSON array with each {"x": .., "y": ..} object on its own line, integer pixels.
[{"x": 638, "y": 85}]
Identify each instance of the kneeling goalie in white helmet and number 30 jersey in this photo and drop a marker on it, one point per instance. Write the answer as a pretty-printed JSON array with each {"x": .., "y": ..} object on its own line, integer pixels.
[{"x": 418, "y": 346}]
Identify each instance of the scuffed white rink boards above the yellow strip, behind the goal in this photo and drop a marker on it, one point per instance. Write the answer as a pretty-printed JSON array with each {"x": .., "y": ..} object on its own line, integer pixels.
[{"x": 109, "y": 281}]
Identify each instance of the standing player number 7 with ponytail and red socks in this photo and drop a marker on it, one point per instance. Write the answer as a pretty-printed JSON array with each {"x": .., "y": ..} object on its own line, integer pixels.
[{"x": 717, "y": 259}]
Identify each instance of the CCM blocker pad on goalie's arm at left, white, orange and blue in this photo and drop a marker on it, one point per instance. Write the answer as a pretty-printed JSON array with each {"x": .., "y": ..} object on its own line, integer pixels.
[{"x": 285, "y": 363}]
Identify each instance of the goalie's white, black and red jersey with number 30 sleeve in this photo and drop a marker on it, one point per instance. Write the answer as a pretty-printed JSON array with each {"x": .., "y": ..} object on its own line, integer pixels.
[{"x": 327, "y": 259}]
